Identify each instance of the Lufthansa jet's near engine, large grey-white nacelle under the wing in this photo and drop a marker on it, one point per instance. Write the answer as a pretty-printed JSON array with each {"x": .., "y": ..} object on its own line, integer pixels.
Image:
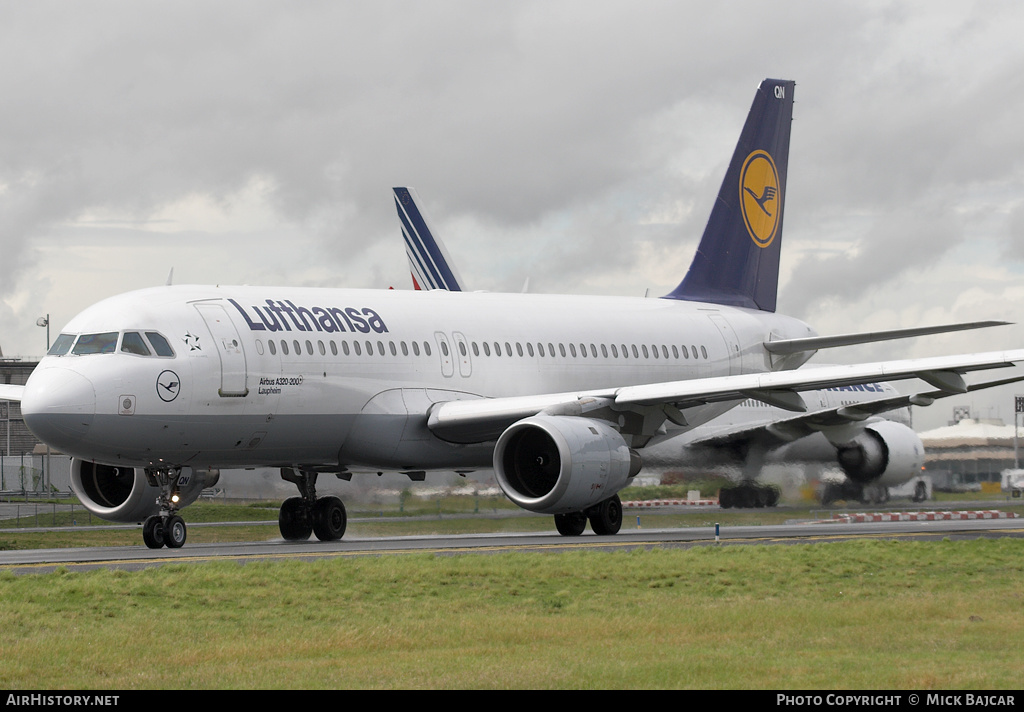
[{"x": 560, "y": 465}]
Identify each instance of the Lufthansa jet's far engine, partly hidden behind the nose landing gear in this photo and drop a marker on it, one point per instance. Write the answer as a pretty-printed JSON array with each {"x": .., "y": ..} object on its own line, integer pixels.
[{"x": 124, "y": 494}]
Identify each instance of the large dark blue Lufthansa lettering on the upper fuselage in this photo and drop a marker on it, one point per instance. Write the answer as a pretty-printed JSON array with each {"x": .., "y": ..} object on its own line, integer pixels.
[{"x": 285, "y": 316}]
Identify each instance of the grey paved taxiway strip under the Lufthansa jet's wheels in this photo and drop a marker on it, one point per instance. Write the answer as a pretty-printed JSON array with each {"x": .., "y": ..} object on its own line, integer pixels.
[{"x": 136, "y": 558}]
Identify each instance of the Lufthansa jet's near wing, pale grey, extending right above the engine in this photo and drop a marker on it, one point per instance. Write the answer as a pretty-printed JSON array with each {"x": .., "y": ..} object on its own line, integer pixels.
[{"x": 648, "y": 407}]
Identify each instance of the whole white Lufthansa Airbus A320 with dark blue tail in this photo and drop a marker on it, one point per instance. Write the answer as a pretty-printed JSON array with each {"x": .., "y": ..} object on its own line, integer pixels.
[{"x": 151, "y": 392}]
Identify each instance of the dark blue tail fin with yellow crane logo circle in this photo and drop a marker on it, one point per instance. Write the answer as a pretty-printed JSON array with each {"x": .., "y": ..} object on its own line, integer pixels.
[{"x": 738, "y": 261}]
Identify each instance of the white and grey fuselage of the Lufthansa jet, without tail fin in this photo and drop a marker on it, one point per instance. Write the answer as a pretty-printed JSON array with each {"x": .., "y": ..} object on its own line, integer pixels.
[{"x": 333, "y": 378}]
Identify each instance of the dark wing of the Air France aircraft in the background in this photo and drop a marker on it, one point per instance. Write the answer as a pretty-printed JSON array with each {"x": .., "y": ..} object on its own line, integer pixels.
[{"x": 780, "y": 432}]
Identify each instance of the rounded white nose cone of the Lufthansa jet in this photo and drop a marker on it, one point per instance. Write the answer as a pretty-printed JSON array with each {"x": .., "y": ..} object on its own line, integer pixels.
[{"x": 59, "y": 406}]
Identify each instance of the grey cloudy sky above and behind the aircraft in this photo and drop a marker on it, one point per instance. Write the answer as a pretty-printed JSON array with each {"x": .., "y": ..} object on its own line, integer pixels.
[{"x": 579, "y": 145}]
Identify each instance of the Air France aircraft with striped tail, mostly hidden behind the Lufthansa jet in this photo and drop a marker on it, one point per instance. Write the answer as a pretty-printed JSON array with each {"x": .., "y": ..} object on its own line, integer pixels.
[{"x": 866, "y": 430}]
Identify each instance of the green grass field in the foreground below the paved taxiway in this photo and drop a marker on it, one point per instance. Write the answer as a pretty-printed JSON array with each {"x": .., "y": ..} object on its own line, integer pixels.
[{"x": 864, "y": 615}]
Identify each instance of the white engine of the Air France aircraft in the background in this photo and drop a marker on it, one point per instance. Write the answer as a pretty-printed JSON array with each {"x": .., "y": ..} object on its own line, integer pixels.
[{"x": 886, "y": 453}]
